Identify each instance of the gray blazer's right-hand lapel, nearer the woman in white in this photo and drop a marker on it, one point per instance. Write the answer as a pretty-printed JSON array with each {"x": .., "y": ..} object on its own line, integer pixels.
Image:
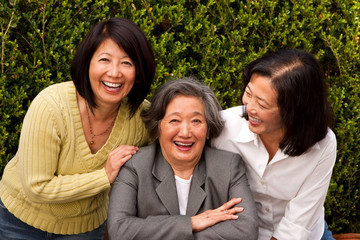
[{"x": 197, "y": 194}]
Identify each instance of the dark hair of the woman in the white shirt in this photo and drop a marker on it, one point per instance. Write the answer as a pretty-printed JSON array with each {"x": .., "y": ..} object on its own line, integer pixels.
[{"x": 298, "y": 80}]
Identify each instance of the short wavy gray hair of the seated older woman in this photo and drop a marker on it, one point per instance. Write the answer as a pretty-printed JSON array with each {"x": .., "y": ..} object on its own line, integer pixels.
[{"x": 187, "y": 86}]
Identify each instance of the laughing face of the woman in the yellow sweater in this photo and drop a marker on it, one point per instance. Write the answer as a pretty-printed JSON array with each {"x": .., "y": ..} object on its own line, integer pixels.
[{"x": 111, "y": 72}]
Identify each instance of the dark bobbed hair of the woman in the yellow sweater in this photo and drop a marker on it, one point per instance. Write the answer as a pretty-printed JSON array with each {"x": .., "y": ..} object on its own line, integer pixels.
[{"x": 133, "y": 41}]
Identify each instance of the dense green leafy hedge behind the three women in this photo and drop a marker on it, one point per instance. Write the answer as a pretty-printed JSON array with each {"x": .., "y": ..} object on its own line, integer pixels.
[{"x": 212, "y": 40}]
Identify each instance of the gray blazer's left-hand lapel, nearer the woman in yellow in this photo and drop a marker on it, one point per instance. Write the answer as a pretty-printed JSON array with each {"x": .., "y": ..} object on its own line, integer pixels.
[{"x": 166, "y": 190}]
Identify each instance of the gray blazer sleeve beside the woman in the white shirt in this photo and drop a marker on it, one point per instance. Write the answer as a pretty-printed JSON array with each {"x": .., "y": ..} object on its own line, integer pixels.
[{"x": 246, "y": 226}]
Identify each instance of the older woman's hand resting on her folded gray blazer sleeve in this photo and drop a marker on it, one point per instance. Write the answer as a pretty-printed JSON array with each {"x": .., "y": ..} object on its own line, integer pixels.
[{"x": 211, "y": 217}]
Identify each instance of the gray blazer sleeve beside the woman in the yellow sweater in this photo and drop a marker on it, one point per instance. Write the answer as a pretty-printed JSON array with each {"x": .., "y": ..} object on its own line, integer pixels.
[{"x": 123, "y": 222}]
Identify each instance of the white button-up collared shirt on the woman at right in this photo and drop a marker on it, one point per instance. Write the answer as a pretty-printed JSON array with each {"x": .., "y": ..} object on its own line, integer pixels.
[{"x": 289, "y": 191}]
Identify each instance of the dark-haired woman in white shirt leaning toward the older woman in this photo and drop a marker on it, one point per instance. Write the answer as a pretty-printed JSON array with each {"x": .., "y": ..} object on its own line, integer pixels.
[{"x": 282, "y": 133}]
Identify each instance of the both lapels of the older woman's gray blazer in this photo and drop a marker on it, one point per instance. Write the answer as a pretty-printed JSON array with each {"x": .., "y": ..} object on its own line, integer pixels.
[{"x": 166, "y": 189}]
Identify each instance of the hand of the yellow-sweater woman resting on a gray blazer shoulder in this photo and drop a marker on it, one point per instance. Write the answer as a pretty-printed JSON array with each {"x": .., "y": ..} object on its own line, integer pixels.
[{"x": 117, "y": 158}]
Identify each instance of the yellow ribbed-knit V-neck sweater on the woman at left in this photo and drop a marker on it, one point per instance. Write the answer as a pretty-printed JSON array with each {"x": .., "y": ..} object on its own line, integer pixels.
[{"x": 54, "y": 182}]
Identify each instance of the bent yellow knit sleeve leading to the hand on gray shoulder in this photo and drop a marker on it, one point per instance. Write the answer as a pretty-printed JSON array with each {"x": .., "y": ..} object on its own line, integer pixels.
[{"x": 39, "y": 150}]
